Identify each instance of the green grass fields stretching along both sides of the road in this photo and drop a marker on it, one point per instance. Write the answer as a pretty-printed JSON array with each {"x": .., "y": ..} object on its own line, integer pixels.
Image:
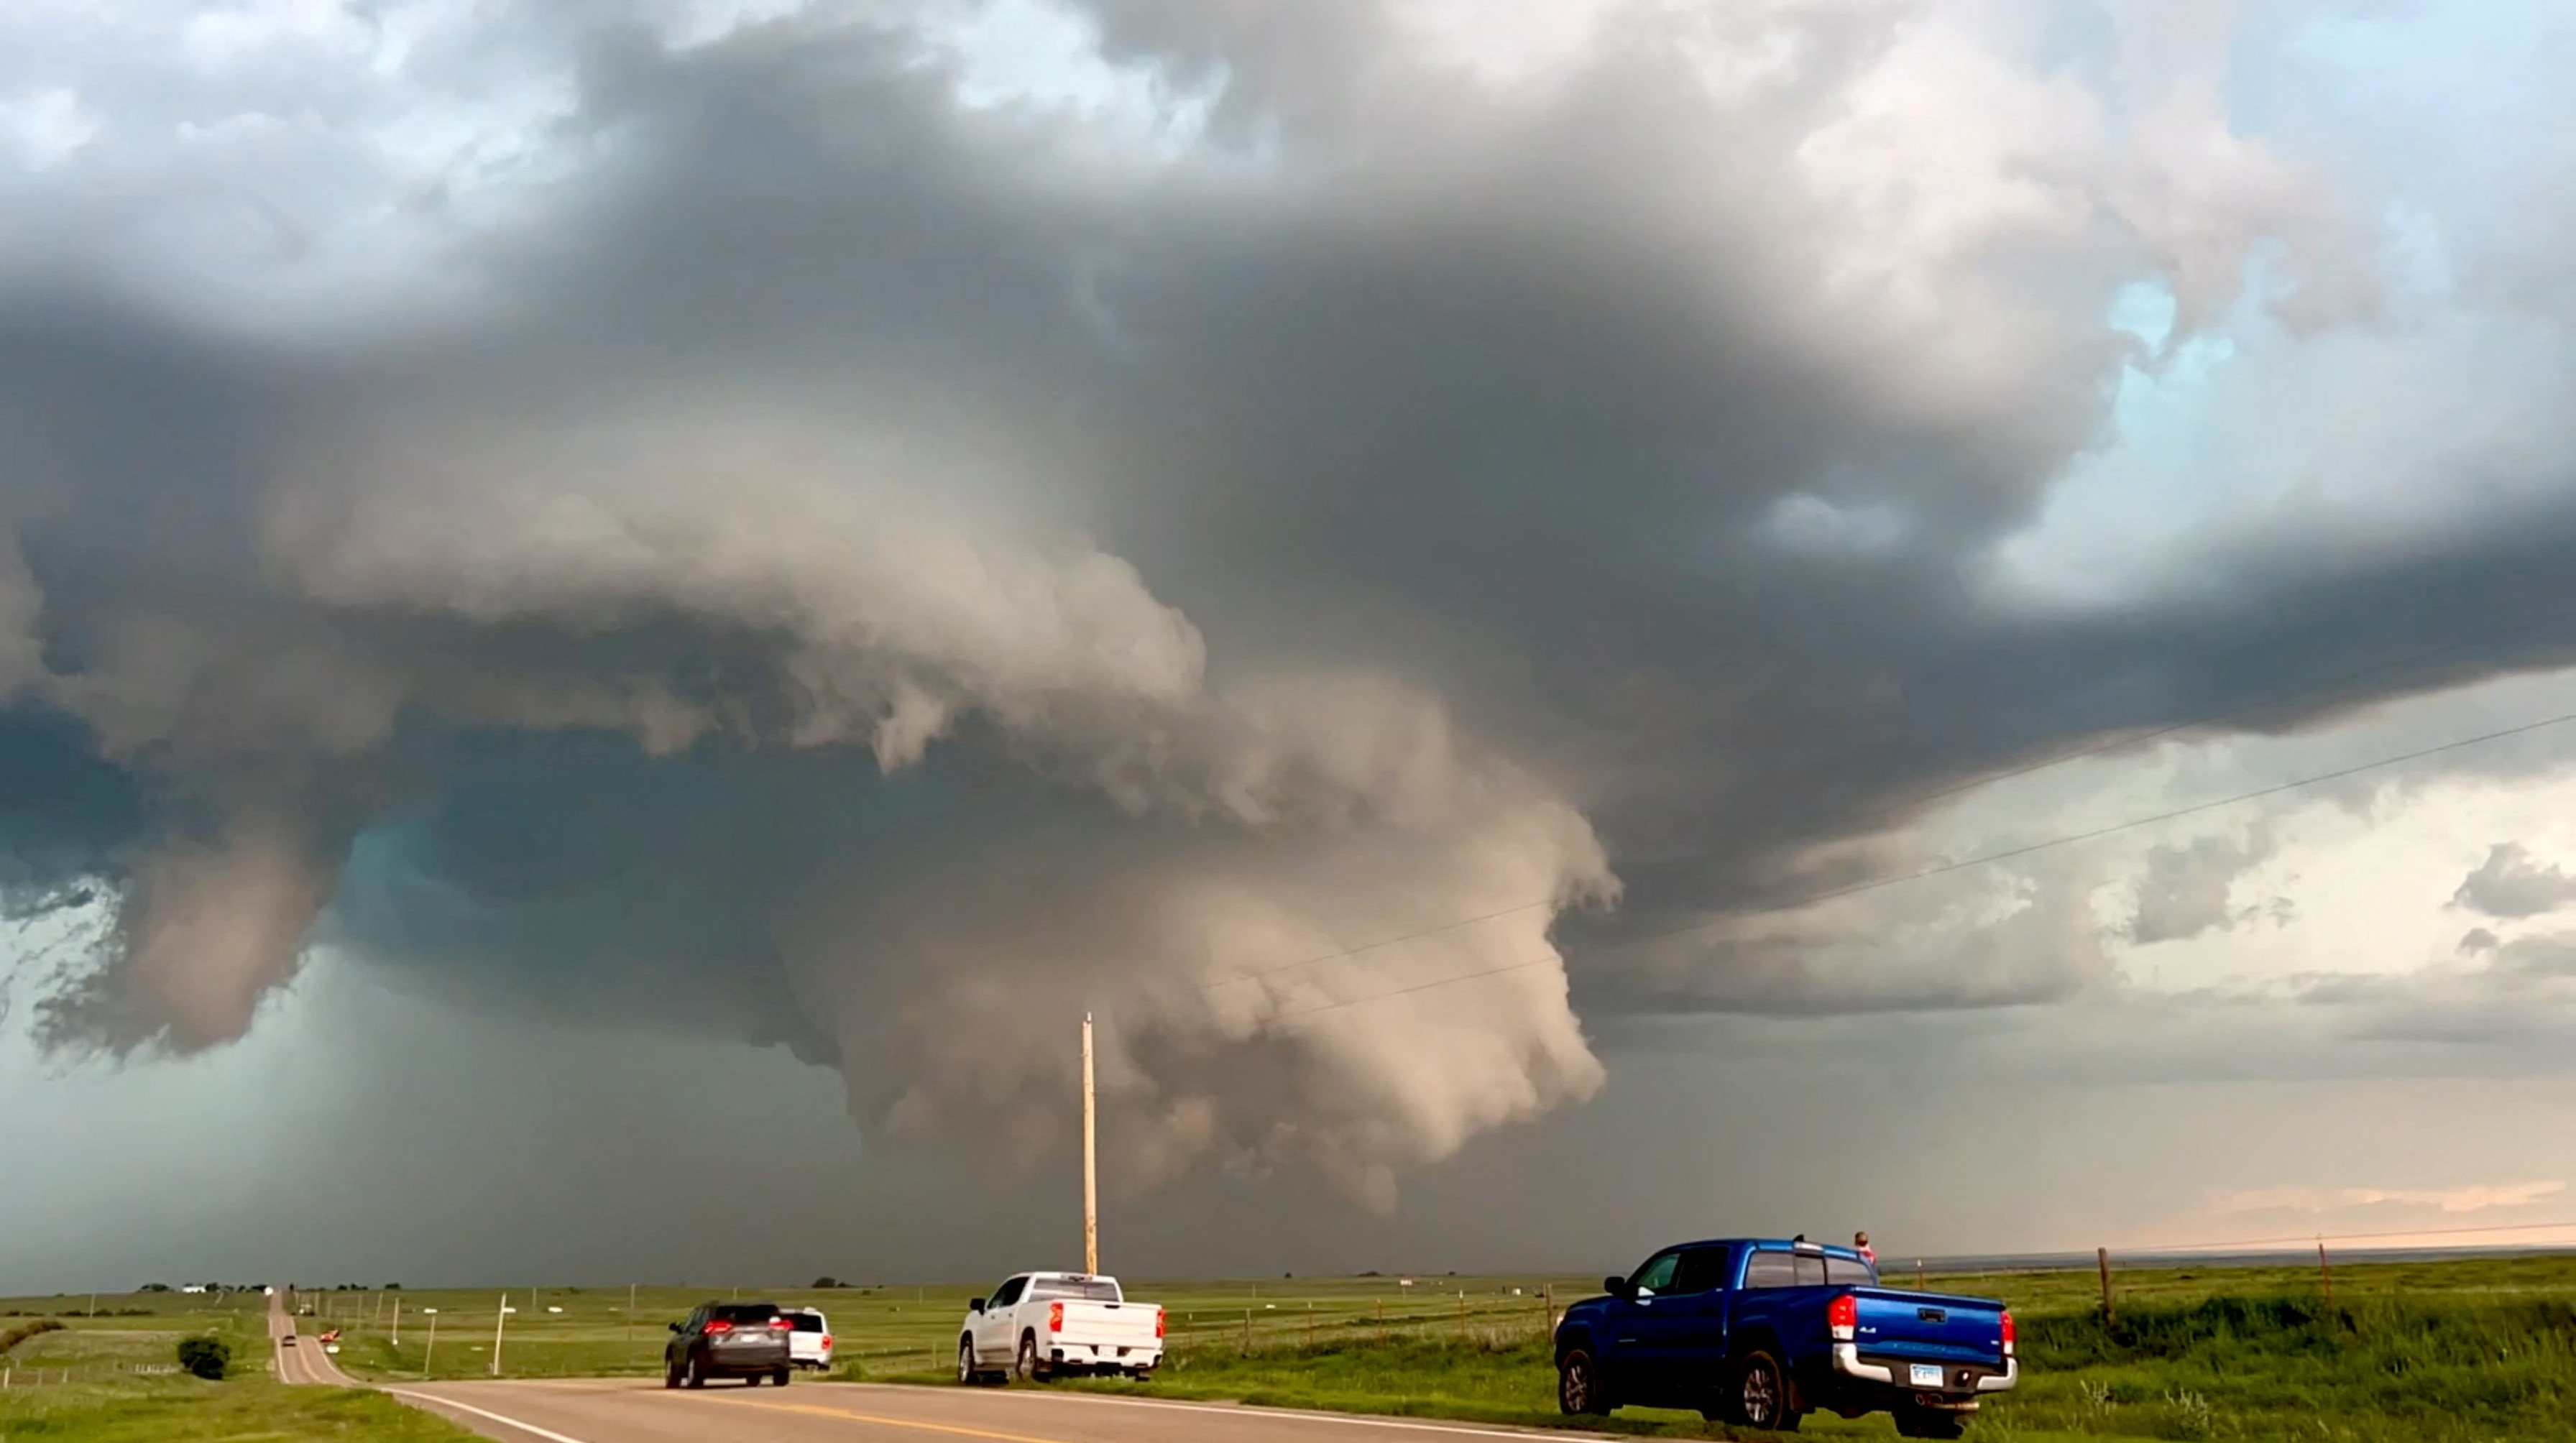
[{"x": 2451, "y": 1352}]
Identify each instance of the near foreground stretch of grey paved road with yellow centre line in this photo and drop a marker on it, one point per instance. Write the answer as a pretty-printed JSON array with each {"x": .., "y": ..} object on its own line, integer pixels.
[{"x": 640, "y": 1411}]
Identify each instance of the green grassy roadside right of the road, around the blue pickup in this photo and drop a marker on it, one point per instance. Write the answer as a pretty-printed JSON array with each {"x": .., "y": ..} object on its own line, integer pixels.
[{"x": 2464, "y": 1352}]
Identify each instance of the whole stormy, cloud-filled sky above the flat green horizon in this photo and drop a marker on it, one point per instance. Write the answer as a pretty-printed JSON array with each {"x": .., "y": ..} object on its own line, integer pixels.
[{"x": 1575, "y": 625}]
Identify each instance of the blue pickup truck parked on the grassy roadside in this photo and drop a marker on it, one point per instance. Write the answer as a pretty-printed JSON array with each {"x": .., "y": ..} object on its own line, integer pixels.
[{"x": 1763, "y": 1331}]
